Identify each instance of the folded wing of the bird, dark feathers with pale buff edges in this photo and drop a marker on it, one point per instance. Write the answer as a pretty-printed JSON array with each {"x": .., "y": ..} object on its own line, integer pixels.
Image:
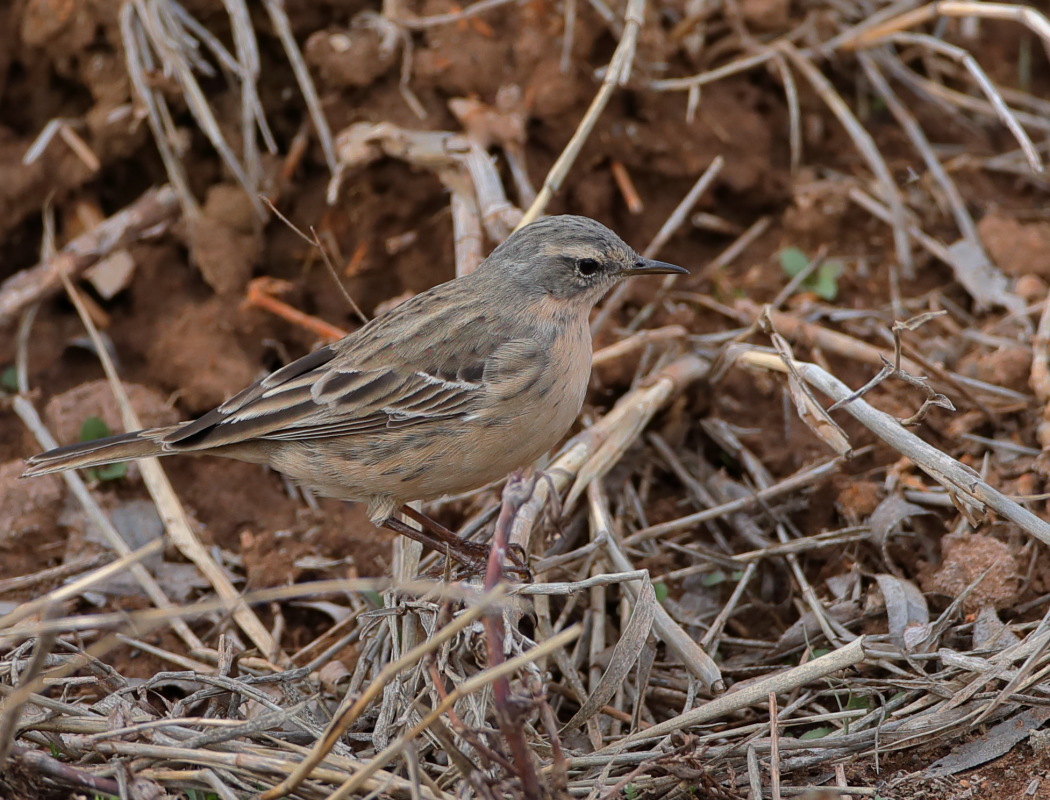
[{"x": 330, "y": 393}]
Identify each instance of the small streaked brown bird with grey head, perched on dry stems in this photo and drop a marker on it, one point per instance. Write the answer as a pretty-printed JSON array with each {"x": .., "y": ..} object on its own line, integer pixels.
[{"x": 447, "y": 392}]
